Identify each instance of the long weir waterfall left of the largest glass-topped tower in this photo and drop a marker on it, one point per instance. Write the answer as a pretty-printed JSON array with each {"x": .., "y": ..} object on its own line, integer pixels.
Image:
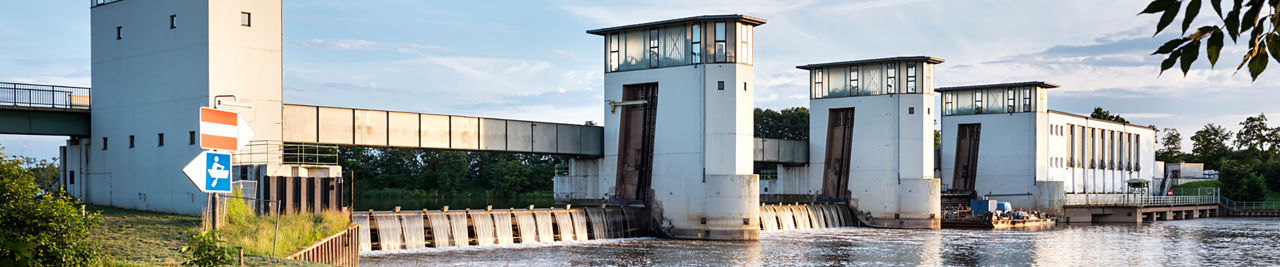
[{"x": 392, "y": 231}]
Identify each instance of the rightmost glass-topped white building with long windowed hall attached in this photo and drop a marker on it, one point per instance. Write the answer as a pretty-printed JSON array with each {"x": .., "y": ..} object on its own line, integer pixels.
[{"x": 1002, "y": 142}]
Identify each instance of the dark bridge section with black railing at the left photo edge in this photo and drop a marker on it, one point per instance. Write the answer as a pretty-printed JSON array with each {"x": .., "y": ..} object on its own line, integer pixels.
[{"x": 44, "y": 111}]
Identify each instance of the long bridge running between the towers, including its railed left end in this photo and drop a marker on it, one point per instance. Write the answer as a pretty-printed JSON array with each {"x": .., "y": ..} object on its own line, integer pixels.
[{"x": 58, "y": 111}]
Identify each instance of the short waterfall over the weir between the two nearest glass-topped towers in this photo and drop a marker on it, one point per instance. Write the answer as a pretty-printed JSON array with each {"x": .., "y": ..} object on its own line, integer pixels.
[{"x": 775, "y": 218}]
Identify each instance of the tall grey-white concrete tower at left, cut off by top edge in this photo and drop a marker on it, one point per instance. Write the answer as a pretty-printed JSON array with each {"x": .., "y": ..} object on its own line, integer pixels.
[{"x": 154, "y": 65}]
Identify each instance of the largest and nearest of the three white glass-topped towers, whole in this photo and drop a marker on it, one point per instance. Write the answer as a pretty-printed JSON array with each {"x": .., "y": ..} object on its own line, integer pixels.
[{"x": 679, "y": 125}]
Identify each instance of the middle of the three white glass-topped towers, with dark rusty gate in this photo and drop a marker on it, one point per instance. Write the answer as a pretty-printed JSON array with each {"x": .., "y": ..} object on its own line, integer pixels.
[{"x": 871, "y": 140}]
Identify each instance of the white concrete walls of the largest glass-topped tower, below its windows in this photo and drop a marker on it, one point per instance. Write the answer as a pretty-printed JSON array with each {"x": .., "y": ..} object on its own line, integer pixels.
[{"x": 694, "y": 178}]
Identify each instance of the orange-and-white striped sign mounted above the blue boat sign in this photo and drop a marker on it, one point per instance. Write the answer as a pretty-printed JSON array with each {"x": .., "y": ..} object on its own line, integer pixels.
[{"x": 221, "y": 130}]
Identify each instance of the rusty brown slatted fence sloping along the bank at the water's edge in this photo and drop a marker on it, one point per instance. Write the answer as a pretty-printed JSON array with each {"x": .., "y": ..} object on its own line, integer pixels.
[{"x": 339, "y": 250}]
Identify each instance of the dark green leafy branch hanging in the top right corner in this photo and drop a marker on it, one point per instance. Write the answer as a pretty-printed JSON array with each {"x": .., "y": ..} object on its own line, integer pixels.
[{"x": 1247, "y": 21}]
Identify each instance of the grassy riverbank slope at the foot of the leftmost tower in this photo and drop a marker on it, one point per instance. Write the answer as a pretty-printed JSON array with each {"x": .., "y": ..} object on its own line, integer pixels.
[{"x": 140, "y": 238}]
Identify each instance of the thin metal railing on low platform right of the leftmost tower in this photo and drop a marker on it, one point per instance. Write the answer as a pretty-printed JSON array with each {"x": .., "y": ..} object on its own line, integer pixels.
[{"x": 271, "y": 153}]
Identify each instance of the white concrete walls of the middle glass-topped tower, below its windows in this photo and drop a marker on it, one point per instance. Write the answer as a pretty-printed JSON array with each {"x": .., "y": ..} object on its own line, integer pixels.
[{"x": 892, "y": 162}]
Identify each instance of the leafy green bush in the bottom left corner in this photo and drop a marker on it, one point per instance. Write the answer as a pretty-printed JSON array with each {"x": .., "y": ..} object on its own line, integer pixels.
[{"x": 38, "y": 228}]
